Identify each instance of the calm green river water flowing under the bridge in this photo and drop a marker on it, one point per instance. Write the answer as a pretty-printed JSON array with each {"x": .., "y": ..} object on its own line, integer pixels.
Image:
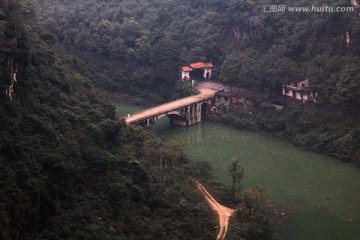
[{"x": 322, "y": 194}]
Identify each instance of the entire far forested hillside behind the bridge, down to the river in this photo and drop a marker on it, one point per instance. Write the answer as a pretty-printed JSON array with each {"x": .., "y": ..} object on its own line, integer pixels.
[{"x": 138, "y": 47}]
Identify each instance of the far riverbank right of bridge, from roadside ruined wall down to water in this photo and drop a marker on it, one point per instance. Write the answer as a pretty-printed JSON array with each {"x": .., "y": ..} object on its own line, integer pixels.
[{"x": 313, "y": 126}]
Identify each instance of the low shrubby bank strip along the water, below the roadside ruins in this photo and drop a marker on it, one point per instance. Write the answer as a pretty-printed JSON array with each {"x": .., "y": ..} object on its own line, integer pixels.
[{"x": 331, "y": 136}]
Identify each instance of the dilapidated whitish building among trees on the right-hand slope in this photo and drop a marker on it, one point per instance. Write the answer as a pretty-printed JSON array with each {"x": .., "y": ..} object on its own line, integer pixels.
[{"x": 299, "y": 90}]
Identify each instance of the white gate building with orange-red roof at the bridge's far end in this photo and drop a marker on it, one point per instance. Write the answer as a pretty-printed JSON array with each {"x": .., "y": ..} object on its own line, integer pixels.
[{"x": 198, "y": 70}]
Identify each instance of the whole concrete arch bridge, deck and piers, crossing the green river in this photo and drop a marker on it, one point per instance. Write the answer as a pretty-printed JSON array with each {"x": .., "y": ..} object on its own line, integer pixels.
[{"x": 182, "y": 112}]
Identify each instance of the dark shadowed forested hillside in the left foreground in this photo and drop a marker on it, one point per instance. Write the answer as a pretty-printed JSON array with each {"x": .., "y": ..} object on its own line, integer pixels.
[{"x": 68, "y": 168}]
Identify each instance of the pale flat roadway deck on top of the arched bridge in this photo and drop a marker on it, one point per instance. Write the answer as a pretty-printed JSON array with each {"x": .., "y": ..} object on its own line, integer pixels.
[{"x": 205, "y": 93}]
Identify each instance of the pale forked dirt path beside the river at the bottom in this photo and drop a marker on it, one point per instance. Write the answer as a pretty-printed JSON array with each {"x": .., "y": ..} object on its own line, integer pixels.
[{"x": 223, "y": 212}]
